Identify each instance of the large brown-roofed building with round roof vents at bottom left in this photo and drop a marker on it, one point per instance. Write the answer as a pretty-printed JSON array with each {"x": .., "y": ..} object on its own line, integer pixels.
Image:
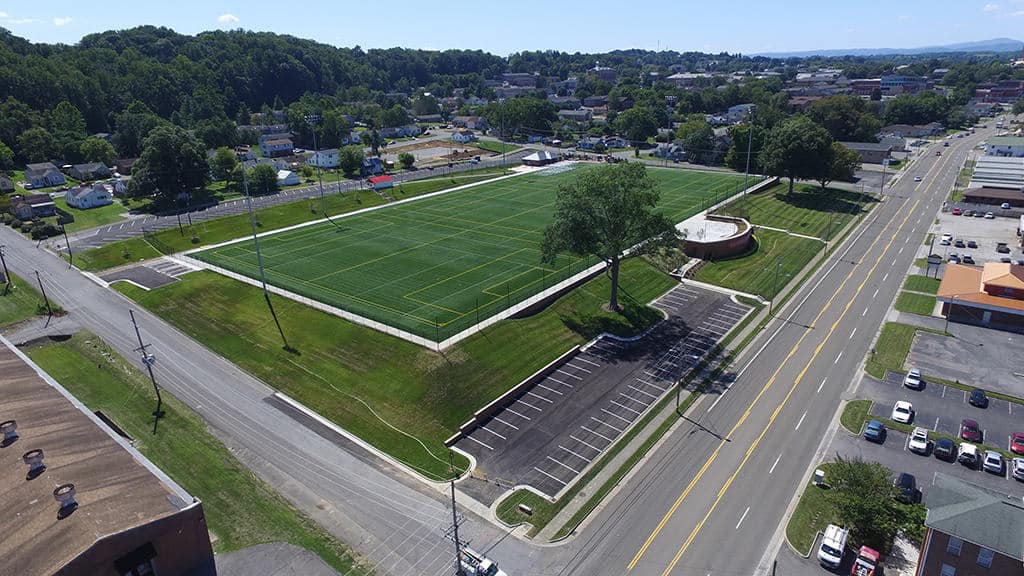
[{"x": 90, "y": 504}]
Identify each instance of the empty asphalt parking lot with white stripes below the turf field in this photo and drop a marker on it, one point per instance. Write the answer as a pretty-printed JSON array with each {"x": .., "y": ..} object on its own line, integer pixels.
[{"x": 551, "y": 433}]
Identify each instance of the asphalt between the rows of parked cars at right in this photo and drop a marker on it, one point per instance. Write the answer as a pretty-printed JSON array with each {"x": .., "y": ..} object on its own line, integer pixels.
[{"x": 942, "y": 408}]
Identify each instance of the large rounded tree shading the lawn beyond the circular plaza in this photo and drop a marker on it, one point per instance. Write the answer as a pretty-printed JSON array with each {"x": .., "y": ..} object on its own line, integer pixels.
[{"x": 797, "y": 149}]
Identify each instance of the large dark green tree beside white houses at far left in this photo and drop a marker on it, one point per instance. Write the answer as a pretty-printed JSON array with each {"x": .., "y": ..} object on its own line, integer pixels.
[{"x": 173, "y": 166}]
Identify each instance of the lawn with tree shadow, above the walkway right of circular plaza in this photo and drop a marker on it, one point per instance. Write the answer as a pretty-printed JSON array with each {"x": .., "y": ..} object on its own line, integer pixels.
[{"x": 807, "y": 212}]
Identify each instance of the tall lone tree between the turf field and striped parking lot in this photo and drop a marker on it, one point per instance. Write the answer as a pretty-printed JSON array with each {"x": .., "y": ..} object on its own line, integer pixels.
[{"x": 606, "y": 212}]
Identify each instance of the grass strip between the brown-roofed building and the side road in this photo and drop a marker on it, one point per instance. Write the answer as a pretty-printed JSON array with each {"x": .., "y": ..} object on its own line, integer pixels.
[{"x": 241, "y": 510}]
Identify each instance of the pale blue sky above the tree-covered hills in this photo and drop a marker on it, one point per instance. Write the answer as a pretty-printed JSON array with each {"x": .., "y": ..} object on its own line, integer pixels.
[{"x": 502, "y": 28}]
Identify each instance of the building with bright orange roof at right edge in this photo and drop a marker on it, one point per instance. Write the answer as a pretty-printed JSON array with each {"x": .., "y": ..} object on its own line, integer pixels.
[{"x": 992, "y": 296}]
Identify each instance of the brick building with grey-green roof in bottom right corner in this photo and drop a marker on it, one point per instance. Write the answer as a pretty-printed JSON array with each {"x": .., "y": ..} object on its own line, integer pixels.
[{"x": 971, "y": 531}]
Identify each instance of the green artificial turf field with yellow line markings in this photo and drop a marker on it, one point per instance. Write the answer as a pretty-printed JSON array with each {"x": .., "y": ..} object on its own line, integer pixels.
[{"x": 438, "y": 266}]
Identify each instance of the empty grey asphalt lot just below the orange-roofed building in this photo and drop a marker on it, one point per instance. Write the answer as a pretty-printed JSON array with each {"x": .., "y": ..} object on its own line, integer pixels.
[{"x": 980, "y": 357}]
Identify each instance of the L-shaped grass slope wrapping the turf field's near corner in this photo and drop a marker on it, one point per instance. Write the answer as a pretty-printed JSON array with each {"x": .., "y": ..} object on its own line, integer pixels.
[{"x": 340, "y": 365}]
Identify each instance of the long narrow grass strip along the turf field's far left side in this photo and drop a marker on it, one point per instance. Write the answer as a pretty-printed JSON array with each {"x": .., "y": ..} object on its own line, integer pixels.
[{"x": 271, "y": 218}]
